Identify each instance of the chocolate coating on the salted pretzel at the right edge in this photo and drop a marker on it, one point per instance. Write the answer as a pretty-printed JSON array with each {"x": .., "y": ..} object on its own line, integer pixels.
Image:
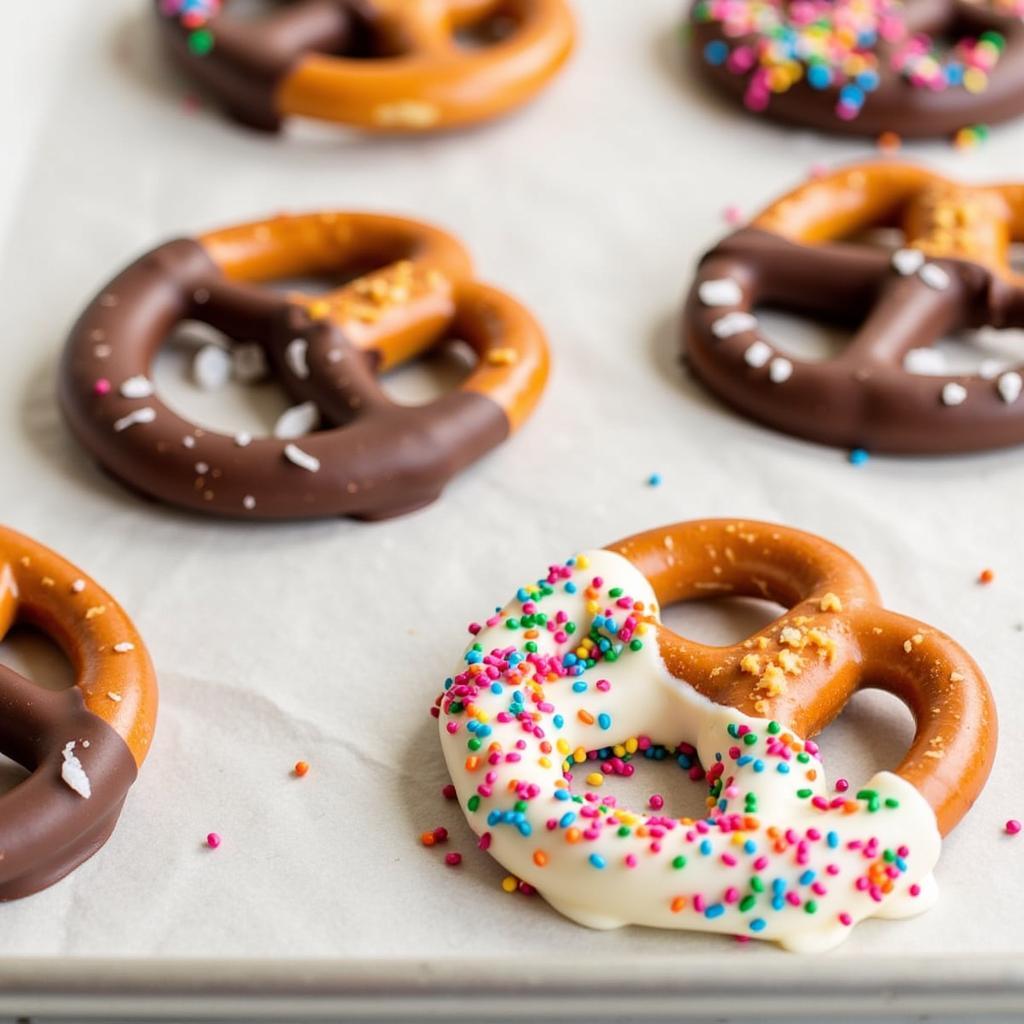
[{"x": 864, "y": 399}]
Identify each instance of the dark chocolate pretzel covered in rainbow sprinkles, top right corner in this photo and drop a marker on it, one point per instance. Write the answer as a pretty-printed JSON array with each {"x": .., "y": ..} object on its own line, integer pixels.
[{"x": 920, "y": 68}]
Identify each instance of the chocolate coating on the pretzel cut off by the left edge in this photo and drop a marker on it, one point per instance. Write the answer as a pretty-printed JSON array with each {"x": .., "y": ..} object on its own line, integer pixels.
[{"x": 48, "y": 829}]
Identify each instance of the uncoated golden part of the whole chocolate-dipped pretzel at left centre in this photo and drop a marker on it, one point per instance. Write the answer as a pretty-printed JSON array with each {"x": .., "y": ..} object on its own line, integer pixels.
[{"x": 419, "y": 283}]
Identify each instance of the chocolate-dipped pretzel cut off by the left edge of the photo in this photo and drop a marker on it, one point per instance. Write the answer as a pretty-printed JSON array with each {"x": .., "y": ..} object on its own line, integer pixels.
[{"x": 83, "y": 747}]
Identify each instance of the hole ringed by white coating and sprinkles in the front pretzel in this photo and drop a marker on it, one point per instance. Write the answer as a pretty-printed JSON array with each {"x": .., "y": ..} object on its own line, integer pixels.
[{"x": 674, "y": 774}]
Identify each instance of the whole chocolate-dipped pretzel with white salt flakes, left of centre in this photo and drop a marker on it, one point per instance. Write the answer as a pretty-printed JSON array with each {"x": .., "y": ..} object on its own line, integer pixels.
[{"x": 376, "y": 459}]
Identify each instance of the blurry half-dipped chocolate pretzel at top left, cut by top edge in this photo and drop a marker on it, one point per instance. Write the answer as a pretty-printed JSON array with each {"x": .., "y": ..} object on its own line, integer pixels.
[{"x": 382, "y": 66}]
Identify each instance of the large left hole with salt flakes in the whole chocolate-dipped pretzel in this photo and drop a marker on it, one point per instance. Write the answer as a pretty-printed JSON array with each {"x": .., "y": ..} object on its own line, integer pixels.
[{"x": 254, "y": 408}]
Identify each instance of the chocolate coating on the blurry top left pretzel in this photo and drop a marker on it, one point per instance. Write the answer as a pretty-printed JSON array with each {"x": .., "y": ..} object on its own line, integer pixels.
[{"x": 251, "y": 59}]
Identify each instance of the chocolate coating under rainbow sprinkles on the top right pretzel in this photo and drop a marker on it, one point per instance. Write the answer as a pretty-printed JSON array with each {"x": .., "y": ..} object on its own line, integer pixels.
[{"x": 897, "y": 105}]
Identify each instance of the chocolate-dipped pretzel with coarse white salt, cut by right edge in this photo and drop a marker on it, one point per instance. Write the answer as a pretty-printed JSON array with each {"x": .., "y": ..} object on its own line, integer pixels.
[{"x": 953, "y": 273}]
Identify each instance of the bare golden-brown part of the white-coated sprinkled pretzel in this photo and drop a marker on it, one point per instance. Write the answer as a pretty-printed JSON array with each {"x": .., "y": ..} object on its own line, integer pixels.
[{"x": 835, "y": 639}]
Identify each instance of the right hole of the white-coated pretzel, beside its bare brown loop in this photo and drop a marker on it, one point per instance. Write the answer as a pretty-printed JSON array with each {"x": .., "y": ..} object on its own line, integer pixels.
[{"x": 874, "y": 734}]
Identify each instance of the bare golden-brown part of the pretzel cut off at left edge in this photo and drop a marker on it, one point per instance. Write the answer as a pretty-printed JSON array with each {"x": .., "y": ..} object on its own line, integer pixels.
[{"x": 39, "y": 587}]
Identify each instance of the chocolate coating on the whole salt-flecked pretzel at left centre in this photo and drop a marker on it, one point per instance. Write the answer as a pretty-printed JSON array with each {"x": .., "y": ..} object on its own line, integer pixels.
[{"x": 381, "y": 459}]
